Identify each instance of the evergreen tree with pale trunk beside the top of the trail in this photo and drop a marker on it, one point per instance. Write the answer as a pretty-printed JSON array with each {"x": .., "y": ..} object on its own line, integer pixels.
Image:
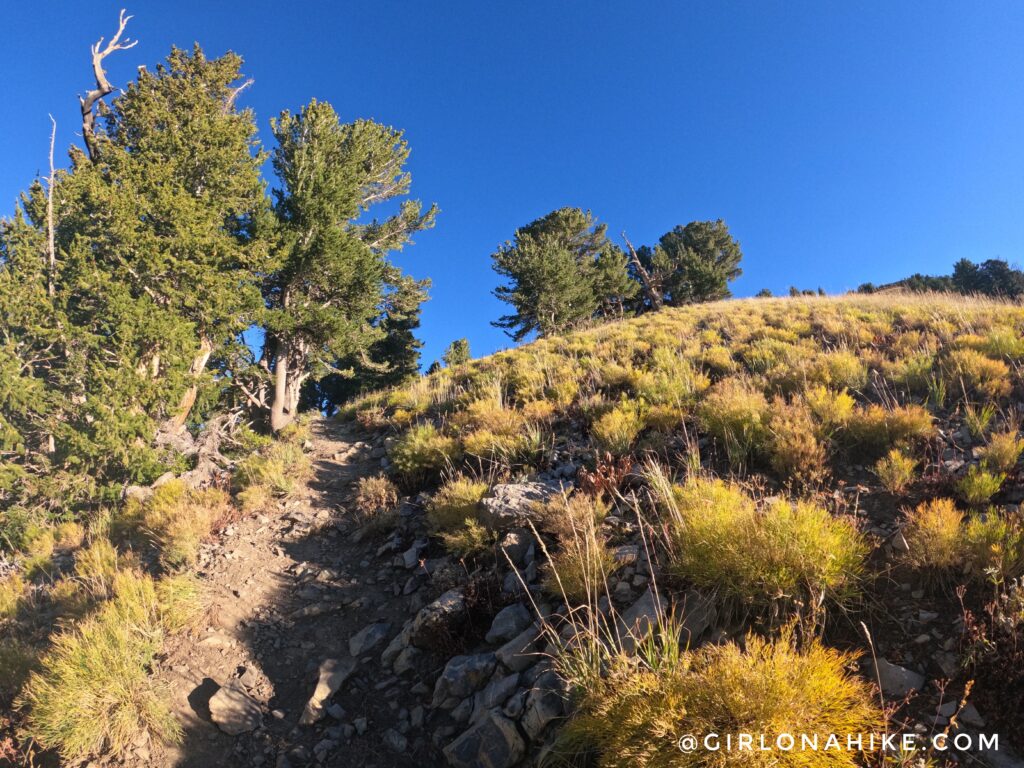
[{"x": 330, "y": 273}]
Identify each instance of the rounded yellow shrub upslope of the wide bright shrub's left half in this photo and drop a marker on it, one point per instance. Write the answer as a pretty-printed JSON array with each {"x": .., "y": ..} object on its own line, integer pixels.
[{"x": 737, "y": 415}]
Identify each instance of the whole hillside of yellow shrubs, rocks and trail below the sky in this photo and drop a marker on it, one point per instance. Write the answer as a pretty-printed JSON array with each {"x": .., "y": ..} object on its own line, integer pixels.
[{"x": 743, "y": 517}]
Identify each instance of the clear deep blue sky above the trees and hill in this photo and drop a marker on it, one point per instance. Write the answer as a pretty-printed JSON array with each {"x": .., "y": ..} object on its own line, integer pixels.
[{"x": 842, "y": 142}]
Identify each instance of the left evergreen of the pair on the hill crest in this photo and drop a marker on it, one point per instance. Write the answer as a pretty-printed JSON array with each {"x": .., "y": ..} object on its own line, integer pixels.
[{"x": 562, "y": 271}]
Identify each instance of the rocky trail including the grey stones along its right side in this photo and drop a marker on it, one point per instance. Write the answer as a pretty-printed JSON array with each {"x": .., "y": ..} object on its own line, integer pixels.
[{"x": 307, "y": 655}]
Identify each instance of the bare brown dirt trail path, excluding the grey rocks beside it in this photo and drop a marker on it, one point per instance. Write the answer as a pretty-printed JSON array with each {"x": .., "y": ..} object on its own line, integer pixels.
[{"x": 288, "y": 588}]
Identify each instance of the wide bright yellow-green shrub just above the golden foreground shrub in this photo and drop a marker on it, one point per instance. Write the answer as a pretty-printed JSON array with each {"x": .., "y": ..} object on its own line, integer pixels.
[{"x": 721, "y": 541}]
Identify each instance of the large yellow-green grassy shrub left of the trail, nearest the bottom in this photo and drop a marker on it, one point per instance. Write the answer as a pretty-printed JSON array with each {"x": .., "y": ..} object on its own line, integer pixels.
[{"x": 94, "y": 692}]
